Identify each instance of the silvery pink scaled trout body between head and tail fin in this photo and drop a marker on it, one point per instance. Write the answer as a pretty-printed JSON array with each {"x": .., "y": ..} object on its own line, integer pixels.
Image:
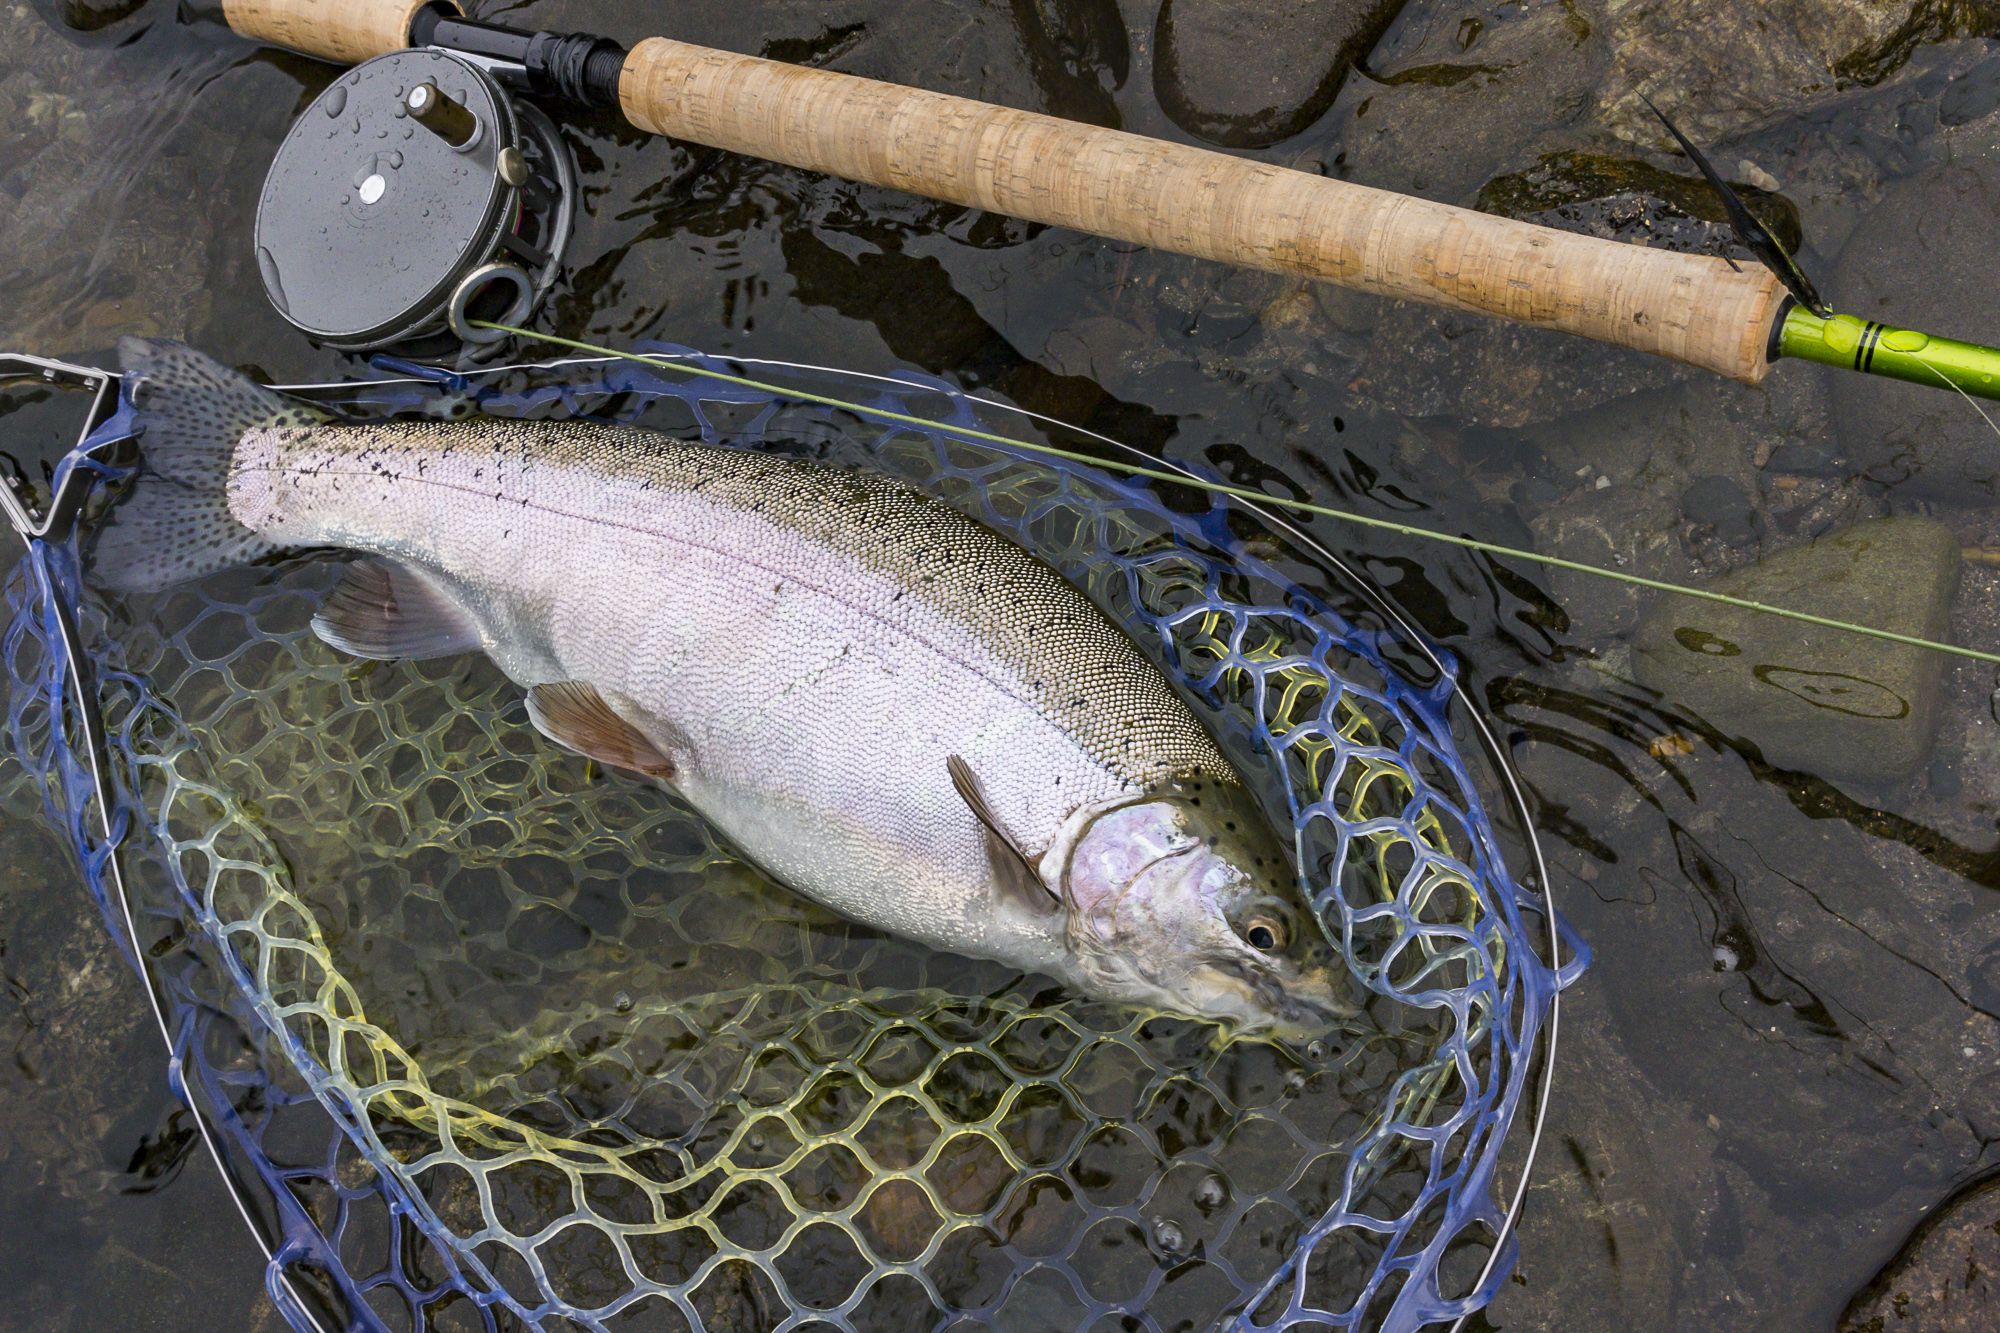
[{"x": 809, "y": 643}]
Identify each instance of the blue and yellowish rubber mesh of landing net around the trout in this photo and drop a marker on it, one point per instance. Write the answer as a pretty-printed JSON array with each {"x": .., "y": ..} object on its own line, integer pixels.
[{"x": 491, "y": 1038}]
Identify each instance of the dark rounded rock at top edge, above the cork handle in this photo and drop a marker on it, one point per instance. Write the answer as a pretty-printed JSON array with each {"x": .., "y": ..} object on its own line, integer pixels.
[{"x": 1251, "y": 73}]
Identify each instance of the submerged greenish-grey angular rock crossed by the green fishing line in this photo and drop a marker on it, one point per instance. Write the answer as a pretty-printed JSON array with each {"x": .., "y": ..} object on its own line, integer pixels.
[{"x": 1817, "y": 700}]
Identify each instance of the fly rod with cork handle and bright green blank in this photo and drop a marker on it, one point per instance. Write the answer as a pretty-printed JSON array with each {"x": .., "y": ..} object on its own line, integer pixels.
[{"x": 1703, "y": 311}]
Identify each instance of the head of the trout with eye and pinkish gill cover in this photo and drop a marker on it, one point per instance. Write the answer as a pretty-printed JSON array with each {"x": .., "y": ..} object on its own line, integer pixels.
[{"x": 1185, "y": 900}]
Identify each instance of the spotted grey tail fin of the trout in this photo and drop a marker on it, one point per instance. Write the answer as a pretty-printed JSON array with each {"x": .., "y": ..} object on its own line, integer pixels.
[{"x": 177, "y": 523}]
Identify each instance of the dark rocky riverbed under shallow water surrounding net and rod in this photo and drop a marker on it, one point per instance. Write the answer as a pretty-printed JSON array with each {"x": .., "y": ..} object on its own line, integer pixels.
[{"x": 1783, "y": 1064}]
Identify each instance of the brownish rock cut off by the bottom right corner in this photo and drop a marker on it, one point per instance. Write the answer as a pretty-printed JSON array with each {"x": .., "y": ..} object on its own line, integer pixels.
[{"x": 1947, "y": 1280}]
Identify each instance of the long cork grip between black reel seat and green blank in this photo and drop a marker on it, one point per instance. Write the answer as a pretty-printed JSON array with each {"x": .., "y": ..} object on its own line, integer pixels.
[{"x": 1209, "y": 205}]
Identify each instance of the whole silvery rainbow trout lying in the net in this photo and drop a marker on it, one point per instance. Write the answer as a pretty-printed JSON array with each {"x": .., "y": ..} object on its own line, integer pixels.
[{"x": 887, "y": 706}]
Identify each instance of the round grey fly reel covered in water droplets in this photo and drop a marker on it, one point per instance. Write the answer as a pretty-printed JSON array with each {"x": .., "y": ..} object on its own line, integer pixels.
[{"x": 409, "y": 199}]
